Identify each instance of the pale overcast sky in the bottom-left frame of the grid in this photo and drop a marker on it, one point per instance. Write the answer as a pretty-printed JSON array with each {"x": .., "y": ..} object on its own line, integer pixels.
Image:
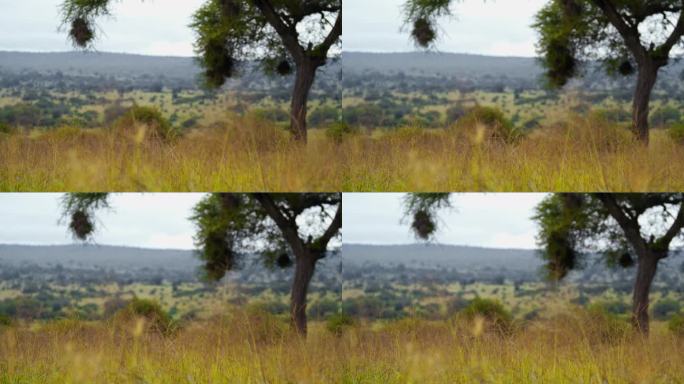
[{"x": 142, "y": 220}]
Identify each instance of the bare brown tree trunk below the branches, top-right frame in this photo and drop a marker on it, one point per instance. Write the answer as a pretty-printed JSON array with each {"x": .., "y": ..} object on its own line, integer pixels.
[{"x": 648, "y": 73}]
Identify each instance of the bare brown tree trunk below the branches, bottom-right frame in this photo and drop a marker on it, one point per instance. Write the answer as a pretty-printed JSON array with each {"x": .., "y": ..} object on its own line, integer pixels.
[{"x": 646, "y": 270}]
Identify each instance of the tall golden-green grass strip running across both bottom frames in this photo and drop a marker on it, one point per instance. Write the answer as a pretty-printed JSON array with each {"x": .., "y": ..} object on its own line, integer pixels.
[{"x": 571, "y": 347}]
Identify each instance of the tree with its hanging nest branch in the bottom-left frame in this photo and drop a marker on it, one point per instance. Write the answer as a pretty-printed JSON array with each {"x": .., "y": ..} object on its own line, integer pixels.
[{"x": 277, "y": 227}]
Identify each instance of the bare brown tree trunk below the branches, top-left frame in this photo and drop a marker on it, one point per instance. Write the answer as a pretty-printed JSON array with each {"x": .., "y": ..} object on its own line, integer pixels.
[{"x": 304, "y": 78}]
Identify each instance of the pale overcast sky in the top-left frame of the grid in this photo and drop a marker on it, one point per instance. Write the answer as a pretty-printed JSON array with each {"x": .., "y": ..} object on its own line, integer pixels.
[{"x": 154, "y": 27}]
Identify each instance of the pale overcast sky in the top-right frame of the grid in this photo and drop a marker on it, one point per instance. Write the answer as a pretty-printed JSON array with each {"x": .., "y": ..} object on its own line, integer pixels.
[{"x": 492, "y": 27}]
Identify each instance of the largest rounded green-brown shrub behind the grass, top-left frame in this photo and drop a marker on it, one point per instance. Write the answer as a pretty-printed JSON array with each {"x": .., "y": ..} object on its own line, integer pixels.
[{"x": 151, "y": 118}]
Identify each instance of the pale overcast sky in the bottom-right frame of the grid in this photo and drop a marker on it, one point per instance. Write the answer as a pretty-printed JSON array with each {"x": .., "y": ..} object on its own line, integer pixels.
[{"x": 487, "y": 220}]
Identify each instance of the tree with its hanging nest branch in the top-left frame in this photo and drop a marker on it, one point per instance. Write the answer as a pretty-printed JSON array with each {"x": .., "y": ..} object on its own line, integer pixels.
[{"x": 230, "y": 33}]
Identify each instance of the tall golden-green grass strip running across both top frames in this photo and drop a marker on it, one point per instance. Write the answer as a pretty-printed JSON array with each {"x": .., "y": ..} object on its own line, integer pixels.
[{"x": 250, "y": 155}]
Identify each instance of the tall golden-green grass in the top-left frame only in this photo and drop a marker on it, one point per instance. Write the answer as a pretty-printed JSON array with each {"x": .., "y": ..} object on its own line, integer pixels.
[{"x": 247, "y": 155}]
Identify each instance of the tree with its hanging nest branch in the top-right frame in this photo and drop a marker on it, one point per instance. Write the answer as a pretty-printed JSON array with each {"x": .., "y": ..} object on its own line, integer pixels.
[{"x": 626, "y": 36}]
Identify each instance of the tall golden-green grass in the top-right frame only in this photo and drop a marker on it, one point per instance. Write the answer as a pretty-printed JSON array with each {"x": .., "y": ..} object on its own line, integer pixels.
[{"x": 581, "y": 155}]
